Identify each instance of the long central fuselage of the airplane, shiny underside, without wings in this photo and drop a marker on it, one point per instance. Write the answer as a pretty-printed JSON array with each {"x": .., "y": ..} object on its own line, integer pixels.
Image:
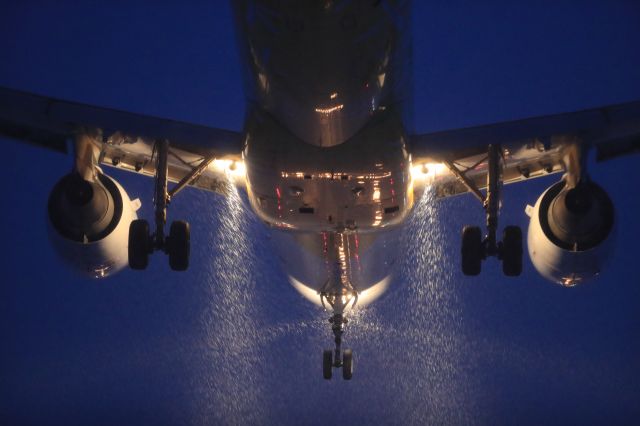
[{"x": 328, "y": 90}]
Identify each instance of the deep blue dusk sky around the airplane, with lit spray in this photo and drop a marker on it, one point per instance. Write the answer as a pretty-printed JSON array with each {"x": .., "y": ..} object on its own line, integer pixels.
[{"x": 230, "y": 341}]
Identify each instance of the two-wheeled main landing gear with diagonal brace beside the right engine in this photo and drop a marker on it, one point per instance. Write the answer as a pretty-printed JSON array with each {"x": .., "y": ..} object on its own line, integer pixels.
[{"x": 475, "y": 248}]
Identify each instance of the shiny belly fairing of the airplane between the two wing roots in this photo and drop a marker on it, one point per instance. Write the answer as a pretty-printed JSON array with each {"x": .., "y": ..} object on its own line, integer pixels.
[{"x": 363, "y": 184}]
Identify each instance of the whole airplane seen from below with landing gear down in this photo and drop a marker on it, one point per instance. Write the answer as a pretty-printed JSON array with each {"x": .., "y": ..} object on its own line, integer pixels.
[{"x": 327, "y": 163}]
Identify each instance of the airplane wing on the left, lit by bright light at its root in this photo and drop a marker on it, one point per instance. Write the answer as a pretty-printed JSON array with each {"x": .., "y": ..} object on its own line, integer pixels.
[{"x": 125, "y": 139}]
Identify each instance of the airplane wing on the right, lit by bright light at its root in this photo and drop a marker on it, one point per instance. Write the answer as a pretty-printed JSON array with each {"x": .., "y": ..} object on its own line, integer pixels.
[{"x": 453, "y": 160}]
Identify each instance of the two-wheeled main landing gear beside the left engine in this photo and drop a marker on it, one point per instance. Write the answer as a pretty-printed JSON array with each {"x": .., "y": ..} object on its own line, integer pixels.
[{"x": 142, "y": 243}]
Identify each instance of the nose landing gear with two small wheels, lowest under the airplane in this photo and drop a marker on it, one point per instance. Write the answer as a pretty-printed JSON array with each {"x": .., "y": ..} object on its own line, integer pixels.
[{"x": 338, "y": 358}]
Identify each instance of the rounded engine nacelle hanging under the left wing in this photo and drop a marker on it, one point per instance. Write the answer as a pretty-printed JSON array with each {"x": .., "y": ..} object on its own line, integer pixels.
[{"x": 89, "y": 223}]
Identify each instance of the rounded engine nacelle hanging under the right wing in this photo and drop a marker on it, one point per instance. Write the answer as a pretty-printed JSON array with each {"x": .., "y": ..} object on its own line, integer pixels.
[{"x": 571, "y": 232}]
